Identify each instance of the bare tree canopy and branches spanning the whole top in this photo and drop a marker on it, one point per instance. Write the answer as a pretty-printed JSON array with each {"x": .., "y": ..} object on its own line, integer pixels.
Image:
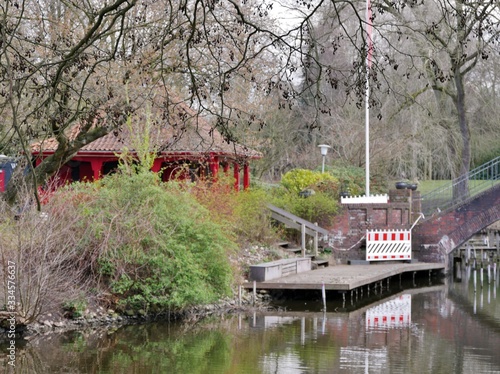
[{"x": 244, "y": 65}]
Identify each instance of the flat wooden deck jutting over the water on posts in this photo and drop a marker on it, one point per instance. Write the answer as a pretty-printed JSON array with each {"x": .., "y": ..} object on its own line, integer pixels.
[{"x": 343, "y": 277}]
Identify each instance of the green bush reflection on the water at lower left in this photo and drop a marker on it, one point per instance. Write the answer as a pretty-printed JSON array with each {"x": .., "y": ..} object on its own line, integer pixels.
[{"x": 160, "y": 348}]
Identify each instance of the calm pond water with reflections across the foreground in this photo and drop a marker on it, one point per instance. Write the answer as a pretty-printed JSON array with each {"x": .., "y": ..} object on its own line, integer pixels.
[{"x": 448, "y": 326}]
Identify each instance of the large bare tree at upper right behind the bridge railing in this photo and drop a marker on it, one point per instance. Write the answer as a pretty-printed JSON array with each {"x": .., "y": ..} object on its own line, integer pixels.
[{"x": 440, "y": 46}]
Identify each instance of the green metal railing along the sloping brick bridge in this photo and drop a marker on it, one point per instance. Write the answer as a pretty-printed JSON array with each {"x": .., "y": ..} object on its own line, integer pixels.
[{"x": 462, "y": 189}]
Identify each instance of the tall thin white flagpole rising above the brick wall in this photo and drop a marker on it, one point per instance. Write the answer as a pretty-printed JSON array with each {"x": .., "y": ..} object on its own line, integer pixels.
[{"x": 369, "y": 51}]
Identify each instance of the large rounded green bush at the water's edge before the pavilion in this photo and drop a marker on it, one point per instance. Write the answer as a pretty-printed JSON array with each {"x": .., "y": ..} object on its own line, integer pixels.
[{"x": 156, "y": 245}]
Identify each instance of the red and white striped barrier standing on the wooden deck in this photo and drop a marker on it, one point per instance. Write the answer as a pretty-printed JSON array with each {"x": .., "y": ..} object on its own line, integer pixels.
[{"x": 386, "y": 245}]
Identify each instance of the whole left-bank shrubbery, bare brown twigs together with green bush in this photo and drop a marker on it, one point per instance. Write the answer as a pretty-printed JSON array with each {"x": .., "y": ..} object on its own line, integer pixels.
[{"x": 135, "y": 242}]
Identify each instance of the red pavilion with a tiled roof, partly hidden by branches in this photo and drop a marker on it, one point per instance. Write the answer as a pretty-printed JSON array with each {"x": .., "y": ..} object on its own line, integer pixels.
[{"x": 185, "y": 147}]
